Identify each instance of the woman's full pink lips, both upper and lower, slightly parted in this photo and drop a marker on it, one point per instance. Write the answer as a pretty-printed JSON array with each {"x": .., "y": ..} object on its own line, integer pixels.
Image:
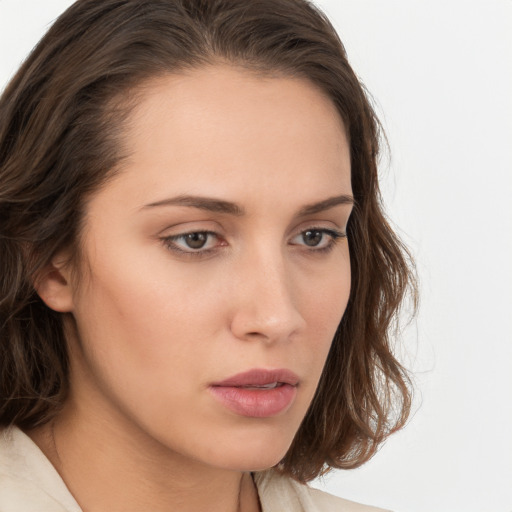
[{"x": 257, "y": 393}]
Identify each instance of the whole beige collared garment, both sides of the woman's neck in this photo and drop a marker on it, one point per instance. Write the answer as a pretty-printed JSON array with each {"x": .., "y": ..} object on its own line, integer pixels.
[{"x": 29, "y": 483}]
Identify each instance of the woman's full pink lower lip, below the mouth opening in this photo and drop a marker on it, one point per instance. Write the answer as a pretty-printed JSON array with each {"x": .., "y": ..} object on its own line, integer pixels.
[{"x": 255, "y": 403}]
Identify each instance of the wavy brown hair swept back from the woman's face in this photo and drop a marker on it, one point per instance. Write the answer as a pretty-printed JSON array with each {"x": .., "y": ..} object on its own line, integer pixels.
[{"x": 61, "y": 118}]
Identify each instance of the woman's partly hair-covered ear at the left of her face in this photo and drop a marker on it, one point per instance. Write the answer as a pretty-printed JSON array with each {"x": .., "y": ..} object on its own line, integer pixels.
[{"x": 54, "y": 285}]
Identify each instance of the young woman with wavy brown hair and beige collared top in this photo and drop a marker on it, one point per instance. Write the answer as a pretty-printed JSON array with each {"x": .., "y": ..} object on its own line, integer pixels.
[{"x": 197, "y": 275}]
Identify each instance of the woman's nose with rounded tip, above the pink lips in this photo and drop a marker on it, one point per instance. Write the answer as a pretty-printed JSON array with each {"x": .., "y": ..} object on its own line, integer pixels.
[{"x": 266, "y": 301}]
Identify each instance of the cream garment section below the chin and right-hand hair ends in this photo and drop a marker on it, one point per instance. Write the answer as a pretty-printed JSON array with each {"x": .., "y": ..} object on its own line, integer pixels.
[{"x": 278, "y": 493}]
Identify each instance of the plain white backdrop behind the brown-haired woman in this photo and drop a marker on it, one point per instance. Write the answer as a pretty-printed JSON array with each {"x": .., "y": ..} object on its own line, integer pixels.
[{"x": 440, "y": 75}]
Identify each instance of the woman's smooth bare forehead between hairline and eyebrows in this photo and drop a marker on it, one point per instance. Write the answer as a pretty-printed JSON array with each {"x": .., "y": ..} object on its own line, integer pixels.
[{"x": 225, "y": 130}]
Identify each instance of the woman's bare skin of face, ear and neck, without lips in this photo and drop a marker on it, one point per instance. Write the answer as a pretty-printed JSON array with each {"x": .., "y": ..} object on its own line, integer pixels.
[{"x": 150, "y": 327}]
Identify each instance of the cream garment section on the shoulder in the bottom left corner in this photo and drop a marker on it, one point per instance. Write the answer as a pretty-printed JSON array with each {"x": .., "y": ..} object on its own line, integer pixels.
[{"x": 28, "y": 481}]
